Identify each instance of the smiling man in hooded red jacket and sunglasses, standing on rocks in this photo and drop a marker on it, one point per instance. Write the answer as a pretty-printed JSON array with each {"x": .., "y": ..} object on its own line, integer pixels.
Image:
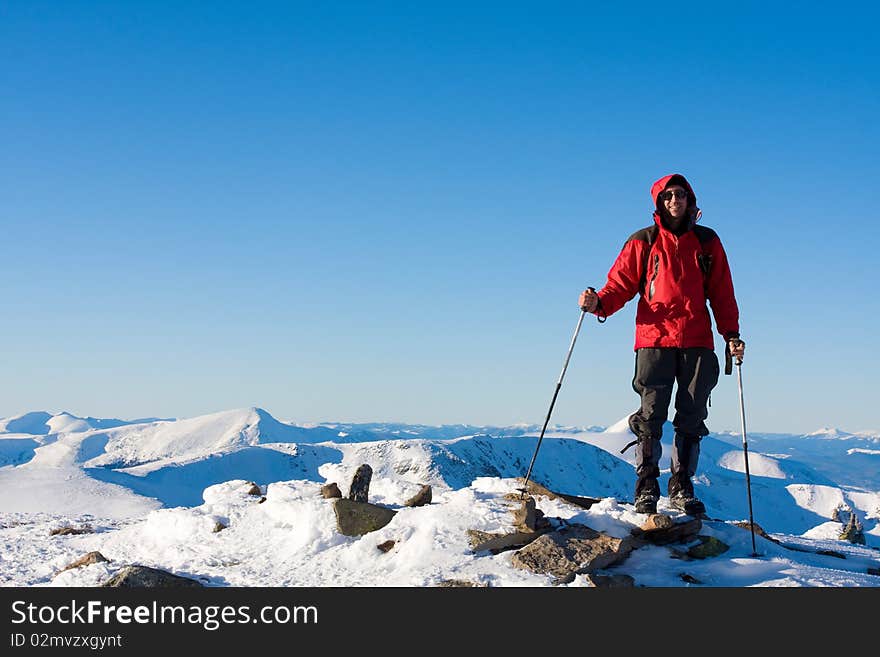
[{"x": 676, "y": 267}]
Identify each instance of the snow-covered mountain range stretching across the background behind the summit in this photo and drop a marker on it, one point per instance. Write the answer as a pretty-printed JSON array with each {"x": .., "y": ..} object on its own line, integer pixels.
[{"x": 798, "y": 481}]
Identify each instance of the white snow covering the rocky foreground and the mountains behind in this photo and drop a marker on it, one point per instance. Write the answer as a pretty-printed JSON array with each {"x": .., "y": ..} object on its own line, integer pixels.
[{"x": 155, "y": 492}]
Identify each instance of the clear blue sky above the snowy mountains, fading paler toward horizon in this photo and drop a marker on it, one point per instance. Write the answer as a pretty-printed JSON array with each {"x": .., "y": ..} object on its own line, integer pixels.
[{"x": 385, "y": 211}]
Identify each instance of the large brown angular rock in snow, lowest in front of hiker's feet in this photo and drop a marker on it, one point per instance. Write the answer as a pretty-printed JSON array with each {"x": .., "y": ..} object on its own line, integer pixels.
[{"x": 571, "y": 551}]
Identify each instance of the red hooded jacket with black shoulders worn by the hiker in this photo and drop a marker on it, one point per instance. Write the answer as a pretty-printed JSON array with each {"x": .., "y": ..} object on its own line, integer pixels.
[{"x": 673, "y": 288}]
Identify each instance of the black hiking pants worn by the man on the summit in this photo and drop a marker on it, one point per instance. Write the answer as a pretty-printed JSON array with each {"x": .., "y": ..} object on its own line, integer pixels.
[{"x": 695, "y": 370}]
